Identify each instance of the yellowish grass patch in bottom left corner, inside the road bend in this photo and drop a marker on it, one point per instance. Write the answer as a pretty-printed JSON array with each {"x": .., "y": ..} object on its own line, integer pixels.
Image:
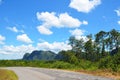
[{"x": 7, "y": 75}]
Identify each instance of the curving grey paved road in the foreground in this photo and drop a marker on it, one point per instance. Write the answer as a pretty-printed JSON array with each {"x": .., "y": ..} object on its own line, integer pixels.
[{"x": 29, "y": 73}]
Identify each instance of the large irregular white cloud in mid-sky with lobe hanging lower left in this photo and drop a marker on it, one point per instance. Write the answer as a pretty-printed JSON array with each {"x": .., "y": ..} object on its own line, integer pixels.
[{"x": 59, "y": 21}]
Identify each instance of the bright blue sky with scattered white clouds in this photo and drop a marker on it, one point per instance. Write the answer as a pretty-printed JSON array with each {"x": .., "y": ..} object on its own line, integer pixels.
[{"x": 27, "y": 25}]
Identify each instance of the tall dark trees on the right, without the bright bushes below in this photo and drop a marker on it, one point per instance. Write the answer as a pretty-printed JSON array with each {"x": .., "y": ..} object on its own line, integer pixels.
[{"x": 96, "y": 47}]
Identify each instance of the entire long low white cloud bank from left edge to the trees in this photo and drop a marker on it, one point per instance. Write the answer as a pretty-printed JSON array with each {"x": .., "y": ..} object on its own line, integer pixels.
[{"x": 22, "y": 49}]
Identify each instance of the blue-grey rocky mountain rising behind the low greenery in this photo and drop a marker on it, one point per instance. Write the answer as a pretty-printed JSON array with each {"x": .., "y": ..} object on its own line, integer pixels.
[{"x": 40, "y": 55}]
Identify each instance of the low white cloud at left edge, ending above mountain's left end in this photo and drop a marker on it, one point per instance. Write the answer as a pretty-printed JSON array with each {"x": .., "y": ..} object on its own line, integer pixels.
[{"x": 22, "y": 49}]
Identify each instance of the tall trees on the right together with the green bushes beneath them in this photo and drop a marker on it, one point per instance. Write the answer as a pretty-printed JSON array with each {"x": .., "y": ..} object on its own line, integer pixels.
[{"x": 103, "y": 48}]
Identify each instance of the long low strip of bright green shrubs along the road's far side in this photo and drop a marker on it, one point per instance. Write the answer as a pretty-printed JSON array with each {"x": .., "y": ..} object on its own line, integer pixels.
[{"x": 82, "y": 65}]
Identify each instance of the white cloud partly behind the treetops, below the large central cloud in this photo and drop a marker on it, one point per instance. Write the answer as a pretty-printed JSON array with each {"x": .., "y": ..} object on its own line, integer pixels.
[{"x": 79, "y": 34}]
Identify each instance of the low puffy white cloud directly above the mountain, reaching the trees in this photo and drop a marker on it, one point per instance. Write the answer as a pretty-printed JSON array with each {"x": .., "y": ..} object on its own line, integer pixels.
[{"x": 55, "y": 46}]
